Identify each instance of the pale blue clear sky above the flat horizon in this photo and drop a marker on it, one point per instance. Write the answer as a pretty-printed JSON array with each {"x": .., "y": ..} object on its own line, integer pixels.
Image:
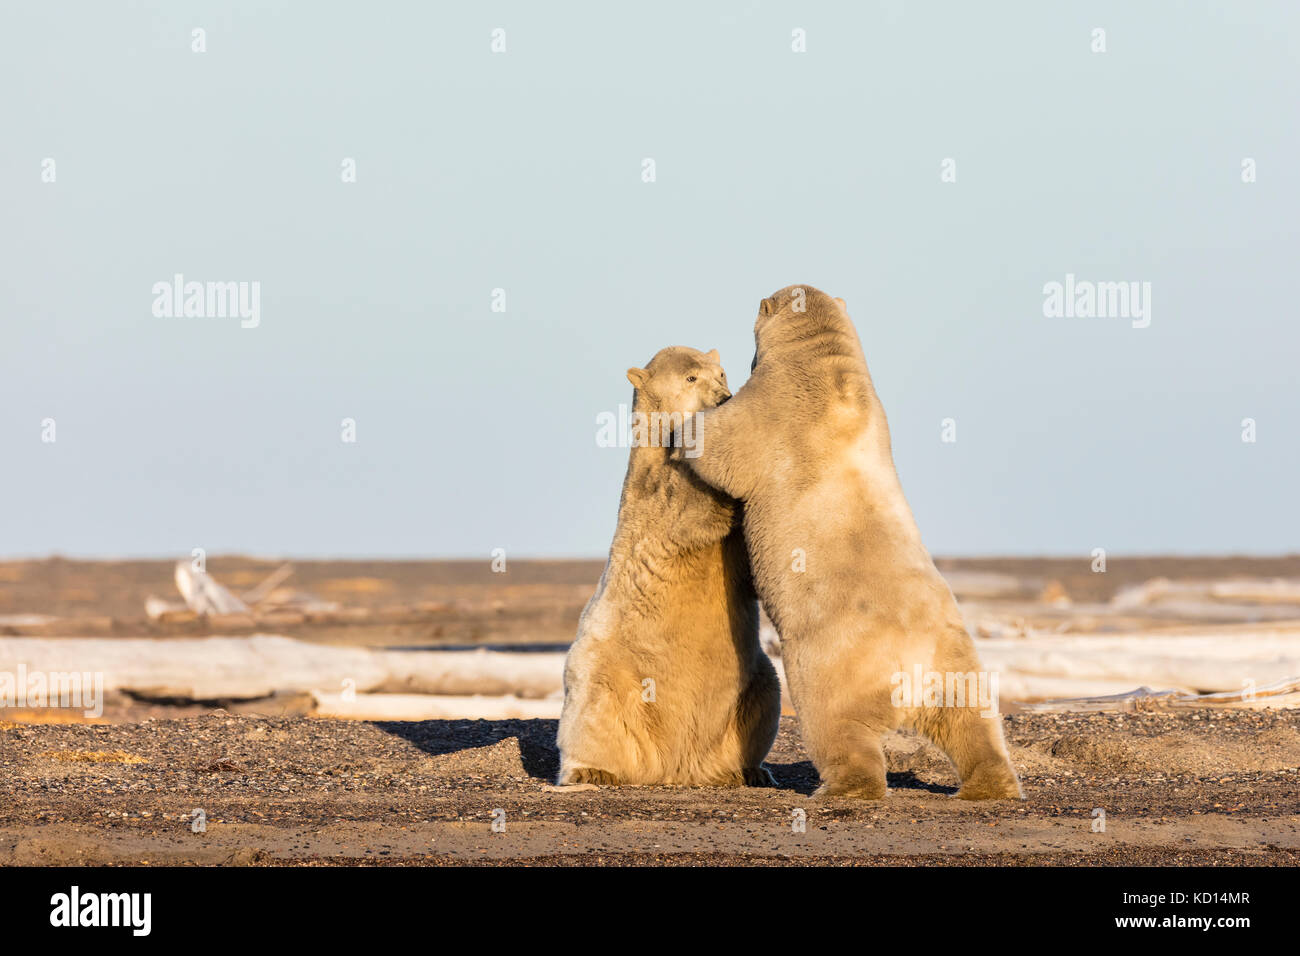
[{"x": 523, "y": 171}]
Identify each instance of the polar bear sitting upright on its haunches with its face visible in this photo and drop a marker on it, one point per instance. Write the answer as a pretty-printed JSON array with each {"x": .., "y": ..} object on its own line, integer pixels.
[{"x": 666, "y": 682}]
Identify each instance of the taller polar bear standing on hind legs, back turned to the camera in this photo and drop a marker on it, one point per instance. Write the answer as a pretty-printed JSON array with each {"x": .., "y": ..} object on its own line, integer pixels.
[{"x": 838, "y": 559}]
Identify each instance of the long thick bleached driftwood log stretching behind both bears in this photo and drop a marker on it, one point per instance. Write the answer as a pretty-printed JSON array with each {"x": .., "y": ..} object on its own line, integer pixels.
[{"x": 1037, "y": 668}]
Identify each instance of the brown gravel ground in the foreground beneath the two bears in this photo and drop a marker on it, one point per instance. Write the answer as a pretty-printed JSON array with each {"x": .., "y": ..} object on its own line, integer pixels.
[{"x": 1201, "y": 789}]
